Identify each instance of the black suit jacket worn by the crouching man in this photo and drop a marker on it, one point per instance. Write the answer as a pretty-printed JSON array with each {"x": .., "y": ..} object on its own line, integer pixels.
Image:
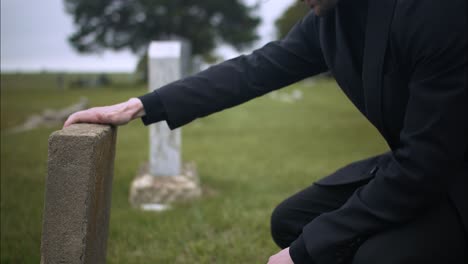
[{"x": 412, "y": 88}]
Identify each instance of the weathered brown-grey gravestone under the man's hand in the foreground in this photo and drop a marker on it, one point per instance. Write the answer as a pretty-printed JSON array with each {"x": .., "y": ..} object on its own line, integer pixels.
[{"x": 78, "y": 194}]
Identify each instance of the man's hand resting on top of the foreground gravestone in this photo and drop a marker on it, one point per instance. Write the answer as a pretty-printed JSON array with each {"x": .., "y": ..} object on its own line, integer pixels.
[{"x": 119, "y": 114}]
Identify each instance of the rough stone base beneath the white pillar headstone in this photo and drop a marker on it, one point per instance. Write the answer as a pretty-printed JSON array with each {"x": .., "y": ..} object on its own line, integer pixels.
[{"x": 147, "y": 190}]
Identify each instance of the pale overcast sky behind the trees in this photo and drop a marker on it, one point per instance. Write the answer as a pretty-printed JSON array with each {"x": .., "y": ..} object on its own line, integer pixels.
[{"x": 34, "y": 37}]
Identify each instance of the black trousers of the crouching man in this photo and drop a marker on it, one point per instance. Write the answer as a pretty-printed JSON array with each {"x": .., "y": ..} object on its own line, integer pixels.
[{"x": 437, "y": 236}]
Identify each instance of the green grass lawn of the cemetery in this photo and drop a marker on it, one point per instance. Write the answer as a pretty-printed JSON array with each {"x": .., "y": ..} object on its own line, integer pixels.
[{"x": 249, "y": 159}]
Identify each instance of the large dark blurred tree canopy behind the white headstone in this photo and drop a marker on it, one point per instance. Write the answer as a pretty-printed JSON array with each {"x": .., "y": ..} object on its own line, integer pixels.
[{"x": 133, "y": 24}]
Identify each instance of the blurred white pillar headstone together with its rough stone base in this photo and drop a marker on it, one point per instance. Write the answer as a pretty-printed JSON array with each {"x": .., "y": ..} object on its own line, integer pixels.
[{"x": 165, "y": 179}]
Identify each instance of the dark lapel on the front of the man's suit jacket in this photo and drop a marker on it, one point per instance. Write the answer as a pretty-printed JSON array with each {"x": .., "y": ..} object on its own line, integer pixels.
[{"x": 380, "y": 14}]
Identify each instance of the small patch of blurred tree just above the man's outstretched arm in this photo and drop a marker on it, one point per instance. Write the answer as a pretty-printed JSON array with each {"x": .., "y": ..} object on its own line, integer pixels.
[{"x": 290, "y": 17}]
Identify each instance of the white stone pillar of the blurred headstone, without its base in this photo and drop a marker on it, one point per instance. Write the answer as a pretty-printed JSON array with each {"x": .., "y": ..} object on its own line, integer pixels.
[{"x": 168, "y": 62}]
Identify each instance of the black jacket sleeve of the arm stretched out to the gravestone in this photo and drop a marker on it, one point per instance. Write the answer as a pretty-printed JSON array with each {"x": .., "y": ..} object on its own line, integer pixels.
[{"x": 238, "y": 80}]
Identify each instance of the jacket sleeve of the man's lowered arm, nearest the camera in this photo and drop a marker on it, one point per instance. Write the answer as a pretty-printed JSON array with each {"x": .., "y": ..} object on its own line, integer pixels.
[{"x": 433, "y": 141}]
